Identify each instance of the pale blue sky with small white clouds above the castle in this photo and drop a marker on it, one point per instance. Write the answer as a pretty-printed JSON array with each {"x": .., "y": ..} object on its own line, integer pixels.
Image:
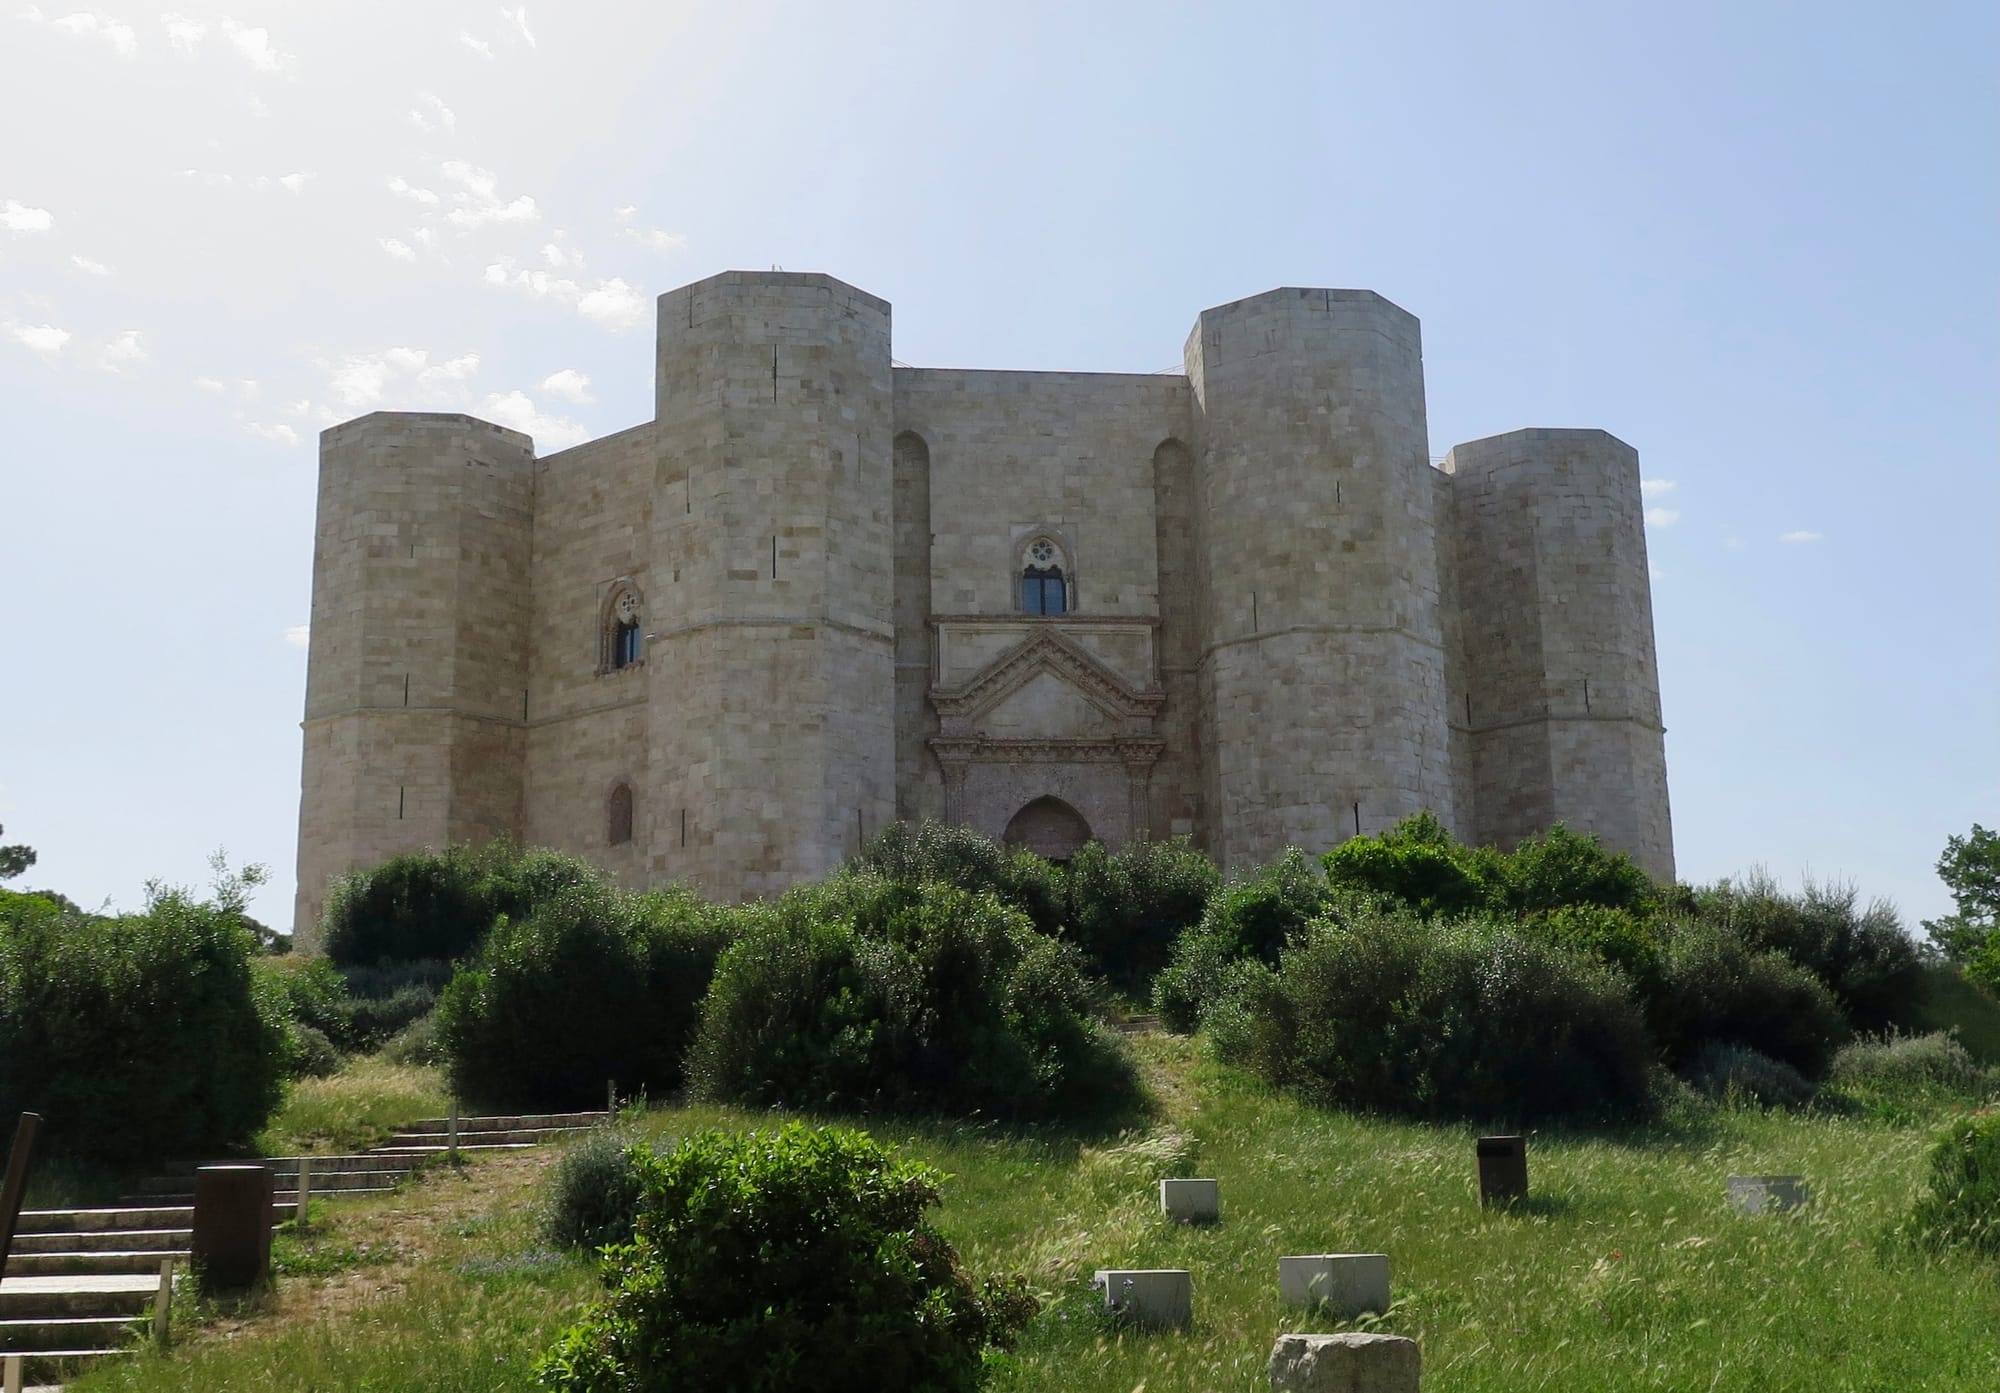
[{"x": 1755, "y": 239}]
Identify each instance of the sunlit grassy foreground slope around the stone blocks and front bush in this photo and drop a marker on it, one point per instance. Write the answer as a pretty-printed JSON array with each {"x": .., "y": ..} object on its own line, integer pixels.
[{"x": 1625, "y": 1272}]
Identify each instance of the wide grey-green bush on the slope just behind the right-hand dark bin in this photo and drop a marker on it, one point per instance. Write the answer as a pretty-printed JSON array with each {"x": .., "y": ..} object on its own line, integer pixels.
[{"x": 1391, "y": 1014}]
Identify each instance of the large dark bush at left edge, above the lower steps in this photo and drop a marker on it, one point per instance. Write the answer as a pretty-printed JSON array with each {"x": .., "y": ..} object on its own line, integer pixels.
[{"x": 137, "y": 1036}]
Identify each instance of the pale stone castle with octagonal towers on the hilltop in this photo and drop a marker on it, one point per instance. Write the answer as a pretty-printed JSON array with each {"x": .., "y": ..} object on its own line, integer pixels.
[{"x": 823, "y": 591}]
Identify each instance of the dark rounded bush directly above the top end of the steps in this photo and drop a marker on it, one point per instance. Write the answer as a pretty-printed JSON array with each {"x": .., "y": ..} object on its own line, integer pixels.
[{"x": 591, "y": 986}]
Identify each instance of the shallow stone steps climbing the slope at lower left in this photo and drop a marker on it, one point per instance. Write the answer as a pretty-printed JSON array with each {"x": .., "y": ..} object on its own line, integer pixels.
[{"x": 81, "y": 1284}]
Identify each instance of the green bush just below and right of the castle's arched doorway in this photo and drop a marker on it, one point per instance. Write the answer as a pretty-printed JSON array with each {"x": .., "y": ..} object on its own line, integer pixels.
[{"x": 1129, "y": 906}]
